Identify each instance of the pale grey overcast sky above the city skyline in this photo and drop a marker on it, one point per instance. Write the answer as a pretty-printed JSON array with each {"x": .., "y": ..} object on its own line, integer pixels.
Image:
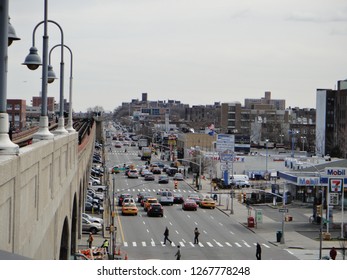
[{"x": 194, "y": 51}]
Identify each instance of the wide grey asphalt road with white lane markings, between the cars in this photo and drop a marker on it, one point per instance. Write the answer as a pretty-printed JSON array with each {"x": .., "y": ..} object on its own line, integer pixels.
[{"x": 141, "y": 237}]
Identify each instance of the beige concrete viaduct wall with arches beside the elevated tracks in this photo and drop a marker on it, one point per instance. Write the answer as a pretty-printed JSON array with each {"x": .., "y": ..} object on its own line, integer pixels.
[{"x": 41, "y": 193}]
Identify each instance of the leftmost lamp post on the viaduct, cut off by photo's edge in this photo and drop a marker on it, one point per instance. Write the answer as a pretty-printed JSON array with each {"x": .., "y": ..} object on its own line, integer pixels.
[{"x": 7, "y": 35}]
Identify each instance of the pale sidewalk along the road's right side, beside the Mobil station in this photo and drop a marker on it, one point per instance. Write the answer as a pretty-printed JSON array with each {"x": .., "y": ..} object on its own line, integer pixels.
[{"x": 305, "y": 247}]
